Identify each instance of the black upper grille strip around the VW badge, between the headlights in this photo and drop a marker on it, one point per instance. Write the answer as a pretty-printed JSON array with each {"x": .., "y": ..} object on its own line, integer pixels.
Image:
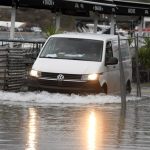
[{"x": 66, "y": 76}]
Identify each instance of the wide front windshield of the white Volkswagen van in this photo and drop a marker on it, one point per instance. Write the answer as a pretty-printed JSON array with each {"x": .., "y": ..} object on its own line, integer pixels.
[{"x": 73, "y": 48}]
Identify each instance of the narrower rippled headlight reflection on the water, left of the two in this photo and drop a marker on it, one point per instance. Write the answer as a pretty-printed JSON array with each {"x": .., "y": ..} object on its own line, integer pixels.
[{"x": 32, "y": 130}]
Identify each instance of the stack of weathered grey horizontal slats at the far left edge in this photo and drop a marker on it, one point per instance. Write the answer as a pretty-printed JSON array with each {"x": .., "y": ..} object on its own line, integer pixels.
[{"x": 12, "y": 69}]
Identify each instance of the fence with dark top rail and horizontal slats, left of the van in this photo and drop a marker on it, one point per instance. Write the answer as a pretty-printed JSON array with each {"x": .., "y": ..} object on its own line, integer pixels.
[{"x": 15, "y": 62}]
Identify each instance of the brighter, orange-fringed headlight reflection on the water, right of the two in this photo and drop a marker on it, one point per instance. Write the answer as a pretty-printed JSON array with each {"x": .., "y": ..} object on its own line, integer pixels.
[{"x": 92, "y": 131}]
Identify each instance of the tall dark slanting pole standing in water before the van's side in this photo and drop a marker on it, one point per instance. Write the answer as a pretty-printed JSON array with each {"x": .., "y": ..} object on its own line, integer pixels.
[{"x": 122, "y": 77}]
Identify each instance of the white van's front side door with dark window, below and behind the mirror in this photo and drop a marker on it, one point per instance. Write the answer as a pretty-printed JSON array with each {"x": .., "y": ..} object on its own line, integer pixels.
[{"x": 112, "y": 71}]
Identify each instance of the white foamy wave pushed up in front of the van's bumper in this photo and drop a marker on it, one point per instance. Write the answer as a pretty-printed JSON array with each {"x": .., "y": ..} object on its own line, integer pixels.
[{"x": 56, "y": 98}]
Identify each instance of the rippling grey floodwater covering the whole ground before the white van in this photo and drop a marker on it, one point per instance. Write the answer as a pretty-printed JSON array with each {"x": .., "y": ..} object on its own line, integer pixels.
[{"x": 44, "y": 121}]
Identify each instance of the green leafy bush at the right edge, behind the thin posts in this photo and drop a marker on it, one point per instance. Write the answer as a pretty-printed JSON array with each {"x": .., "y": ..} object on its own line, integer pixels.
[{"x": 144, "y": 53}]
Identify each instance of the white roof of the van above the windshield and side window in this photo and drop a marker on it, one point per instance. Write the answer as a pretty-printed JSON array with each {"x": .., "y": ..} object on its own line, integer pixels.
[{"x": 94, "y": 36}]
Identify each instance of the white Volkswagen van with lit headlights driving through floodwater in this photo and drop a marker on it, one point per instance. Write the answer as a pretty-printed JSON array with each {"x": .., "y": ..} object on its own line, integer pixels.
[{"x": 81, "y": 62}]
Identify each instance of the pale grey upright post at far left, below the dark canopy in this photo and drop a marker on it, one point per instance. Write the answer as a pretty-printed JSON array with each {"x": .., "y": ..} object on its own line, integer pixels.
[{"x": 12, "y": 29}]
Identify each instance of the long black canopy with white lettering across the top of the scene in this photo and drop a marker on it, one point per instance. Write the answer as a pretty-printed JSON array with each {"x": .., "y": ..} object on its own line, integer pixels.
[{"x": 83, "y": 7}]
